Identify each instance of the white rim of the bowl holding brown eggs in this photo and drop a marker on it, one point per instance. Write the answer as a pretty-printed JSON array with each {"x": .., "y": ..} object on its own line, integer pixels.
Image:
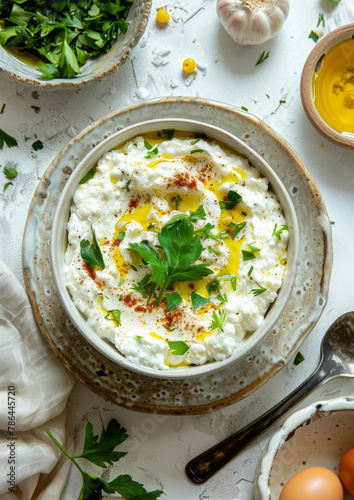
[{"x": 296, "y": 420}]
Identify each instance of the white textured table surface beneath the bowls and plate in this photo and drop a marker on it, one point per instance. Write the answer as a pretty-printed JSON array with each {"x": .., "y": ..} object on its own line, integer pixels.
[{"x": 161, "y": 446}]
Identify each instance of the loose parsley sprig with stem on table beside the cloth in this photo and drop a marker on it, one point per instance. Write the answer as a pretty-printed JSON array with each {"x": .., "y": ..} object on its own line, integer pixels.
[{"x": 100, "y": 452}]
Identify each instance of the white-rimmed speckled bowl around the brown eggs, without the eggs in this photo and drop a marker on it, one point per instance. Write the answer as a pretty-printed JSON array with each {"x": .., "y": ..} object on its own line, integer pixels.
[{"x": 317, "y": 435}]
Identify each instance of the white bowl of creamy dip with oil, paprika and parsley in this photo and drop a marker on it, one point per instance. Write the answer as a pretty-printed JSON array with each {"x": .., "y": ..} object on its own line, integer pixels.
[{"x": 147, "y": 184}]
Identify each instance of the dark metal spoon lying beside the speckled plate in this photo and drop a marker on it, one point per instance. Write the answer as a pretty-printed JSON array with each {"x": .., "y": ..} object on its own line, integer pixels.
[{"x": 337, "y": 359}]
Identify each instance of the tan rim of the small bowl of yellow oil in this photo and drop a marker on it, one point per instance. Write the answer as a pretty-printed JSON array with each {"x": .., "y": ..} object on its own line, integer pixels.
[{"x": 313, "y": 115}]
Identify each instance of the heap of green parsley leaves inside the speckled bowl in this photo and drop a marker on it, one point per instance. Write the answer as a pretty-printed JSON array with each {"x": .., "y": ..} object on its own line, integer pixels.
[{"x": 64, "y": 34}]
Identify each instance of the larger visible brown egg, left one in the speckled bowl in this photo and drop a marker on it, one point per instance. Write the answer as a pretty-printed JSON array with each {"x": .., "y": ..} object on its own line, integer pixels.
[{"x": 314, "y": 483}]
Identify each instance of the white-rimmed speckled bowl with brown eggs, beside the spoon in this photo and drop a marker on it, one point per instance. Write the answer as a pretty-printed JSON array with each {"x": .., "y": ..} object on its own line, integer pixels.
[{"x": 317, "y": 436}]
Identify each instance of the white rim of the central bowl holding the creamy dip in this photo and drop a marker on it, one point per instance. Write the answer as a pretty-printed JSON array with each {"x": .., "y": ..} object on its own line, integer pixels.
[{"x": 58, "y": 238}]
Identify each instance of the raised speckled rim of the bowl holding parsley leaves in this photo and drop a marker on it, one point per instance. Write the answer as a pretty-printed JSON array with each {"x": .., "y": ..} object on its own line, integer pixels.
[{"x": 78, "y": 83}]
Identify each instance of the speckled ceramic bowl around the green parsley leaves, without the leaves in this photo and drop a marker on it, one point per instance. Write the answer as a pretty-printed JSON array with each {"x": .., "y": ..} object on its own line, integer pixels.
[{"x": 94, "y": 69}]
